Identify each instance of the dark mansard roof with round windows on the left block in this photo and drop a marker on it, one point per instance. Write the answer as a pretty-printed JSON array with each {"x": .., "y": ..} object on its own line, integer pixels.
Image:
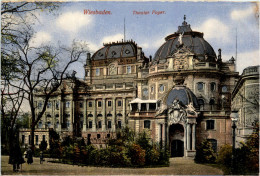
[{"x": 116, "y": 50}]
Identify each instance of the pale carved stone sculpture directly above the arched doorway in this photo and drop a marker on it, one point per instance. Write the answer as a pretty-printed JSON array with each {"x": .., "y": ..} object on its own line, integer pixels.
[{"x": 176, "y": 112}]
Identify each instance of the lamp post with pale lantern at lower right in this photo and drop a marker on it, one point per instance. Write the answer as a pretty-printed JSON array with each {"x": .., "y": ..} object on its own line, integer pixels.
[{"x": 234, "y": 117}]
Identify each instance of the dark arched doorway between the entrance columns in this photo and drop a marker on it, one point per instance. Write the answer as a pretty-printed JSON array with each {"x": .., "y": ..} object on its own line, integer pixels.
[{"x": 176, "y": 139}]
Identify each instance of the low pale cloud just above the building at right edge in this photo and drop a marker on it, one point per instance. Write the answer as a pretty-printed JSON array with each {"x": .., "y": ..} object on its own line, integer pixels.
[{"x": 245, "y": 59}]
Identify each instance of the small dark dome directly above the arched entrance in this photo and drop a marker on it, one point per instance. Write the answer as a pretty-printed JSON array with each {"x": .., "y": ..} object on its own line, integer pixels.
[{"x": 183, "y": 94}]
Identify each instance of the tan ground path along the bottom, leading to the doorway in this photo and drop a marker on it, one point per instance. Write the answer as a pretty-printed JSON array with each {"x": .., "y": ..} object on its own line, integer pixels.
[{"x": 178, "y": 166}]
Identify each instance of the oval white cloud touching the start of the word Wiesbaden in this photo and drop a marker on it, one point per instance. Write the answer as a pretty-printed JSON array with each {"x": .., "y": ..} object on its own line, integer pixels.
[{"x": 73, "y": 21}]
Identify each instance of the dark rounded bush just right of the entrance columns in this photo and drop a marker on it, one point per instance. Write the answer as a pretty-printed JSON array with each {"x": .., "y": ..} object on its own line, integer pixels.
[{"x": 205, "y": 153}]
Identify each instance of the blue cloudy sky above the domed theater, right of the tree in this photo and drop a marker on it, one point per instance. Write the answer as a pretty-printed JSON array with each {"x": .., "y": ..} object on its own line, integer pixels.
[{"x": 219, "y": 22}]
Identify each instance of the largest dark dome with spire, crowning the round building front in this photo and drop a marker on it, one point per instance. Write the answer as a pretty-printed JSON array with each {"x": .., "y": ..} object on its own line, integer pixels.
[{"x": 193, "y": 40}]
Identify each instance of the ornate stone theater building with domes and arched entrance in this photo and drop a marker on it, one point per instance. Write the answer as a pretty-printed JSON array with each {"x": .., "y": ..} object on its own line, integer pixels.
[{"x": 180, "y": 97}]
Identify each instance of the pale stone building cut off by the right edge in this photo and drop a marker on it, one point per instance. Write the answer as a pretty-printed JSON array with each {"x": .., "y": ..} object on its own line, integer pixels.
[{"x": 245, "y": 100}]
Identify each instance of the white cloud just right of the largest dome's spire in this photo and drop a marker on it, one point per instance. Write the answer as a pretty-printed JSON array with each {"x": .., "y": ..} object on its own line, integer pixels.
[{"x": 214, "y": 29}]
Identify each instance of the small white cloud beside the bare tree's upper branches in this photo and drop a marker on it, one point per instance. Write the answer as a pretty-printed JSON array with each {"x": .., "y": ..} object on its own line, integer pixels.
[{"x": 40, "y": 38}]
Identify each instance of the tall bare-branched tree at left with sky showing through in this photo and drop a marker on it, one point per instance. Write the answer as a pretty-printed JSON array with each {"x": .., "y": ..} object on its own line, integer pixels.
[{"x": 43, "y": 67}]
